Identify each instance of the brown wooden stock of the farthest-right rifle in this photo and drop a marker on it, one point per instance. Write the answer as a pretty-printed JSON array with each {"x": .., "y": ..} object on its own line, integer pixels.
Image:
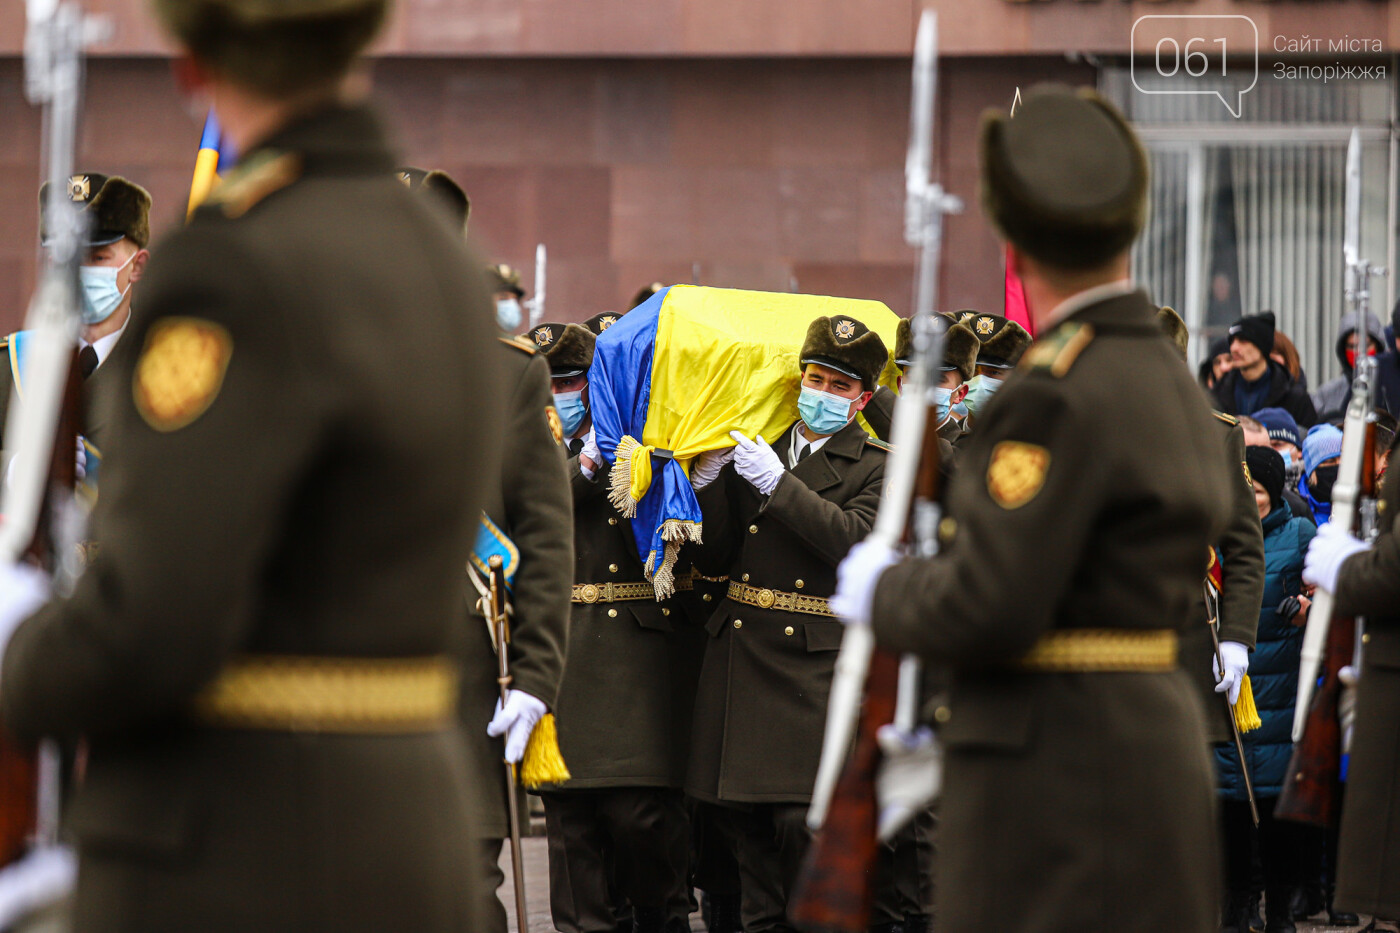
[{"x": 1314, "y": 780}]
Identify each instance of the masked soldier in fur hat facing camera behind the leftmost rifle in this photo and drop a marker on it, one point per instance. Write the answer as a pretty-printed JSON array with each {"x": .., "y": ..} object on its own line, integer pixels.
[{"x": 120, "y": 230}]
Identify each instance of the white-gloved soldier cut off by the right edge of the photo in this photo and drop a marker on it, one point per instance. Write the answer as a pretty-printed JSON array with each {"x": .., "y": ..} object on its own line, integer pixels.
[{"x": 1366, "y": 582}]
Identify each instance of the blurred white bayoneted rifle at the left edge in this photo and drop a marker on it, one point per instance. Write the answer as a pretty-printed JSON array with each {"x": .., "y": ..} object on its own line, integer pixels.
[{"x": 43, "y": 519}]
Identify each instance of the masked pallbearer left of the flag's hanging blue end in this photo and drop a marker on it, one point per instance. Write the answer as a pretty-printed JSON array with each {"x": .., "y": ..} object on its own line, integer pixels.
[{"x": 618, "y": 830}]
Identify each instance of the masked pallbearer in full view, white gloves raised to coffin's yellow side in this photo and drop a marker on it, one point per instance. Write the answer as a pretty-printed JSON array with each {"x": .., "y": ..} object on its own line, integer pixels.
[{"x": 778, "y": 520}]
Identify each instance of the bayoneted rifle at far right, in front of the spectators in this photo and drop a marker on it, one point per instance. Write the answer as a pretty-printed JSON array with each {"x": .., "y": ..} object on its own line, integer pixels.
[{"x": 1314, "y": 774}]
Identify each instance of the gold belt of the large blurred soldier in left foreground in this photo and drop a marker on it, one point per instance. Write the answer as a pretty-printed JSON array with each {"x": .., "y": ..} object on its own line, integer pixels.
[{"x": 332, "y": 696}]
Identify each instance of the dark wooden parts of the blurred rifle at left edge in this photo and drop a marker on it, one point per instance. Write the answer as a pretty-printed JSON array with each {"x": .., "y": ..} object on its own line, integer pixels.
[{"x": 19, "y": 763}]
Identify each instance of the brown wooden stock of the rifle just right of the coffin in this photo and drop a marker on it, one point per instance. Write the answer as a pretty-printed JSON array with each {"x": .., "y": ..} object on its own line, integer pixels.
[{"x": 836, "y": 887}]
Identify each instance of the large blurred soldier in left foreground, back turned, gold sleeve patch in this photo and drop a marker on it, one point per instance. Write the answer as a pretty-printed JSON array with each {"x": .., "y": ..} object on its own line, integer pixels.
[{"x": 260, "y": 658}]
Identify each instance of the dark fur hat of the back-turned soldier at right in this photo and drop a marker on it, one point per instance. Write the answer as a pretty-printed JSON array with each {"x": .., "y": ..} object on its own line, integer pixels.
[{"x": 1066, "y": 180}]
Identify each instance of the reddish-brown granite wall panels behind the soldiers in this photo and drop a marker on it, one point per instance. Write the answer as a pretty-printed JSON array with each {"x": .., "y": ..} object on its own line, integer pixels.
[{"x": 755, "y": 173}]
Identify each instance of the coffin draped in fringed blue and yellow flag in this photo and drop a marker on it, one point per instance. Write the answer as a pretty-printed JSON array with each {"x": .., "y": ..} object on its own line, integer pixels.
[{"x": 682, "y": 371}]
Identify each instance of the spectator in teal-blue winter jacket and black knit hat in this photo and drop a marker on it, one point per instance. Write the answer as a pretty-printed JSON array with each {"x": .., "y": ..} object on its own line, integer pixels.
[{"x": 1273, "y": 672}]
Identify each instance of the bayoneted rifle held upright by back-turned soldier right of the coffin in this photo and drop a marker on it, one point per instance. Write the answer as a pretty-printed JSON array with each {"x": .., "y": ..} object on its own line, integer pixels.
[{"x": 836, "y": 887}]
